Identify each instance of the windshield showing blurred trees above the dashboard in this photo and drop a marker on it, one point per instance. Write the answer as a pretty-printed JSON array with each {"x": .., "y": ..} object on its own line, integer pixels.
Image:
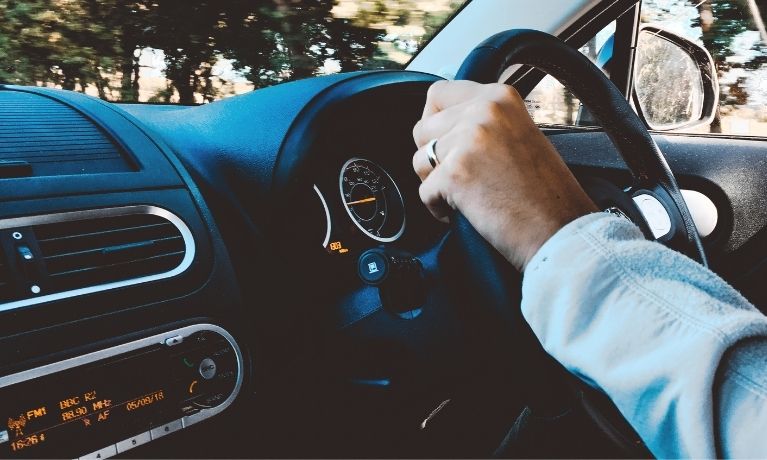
[{"x": 196, "y": 51}]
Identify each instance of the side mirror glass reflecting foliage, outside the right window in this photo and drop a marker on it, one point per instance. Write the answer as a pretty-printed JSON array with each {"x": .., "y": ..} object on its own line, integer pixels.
[{"x": 675, "y": 81}]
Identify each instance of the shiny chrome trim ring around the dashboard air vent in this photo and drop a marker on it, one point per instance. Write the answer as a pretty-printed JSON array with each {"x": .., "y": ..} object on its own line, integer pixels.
[{"x": 31, "y": 221}]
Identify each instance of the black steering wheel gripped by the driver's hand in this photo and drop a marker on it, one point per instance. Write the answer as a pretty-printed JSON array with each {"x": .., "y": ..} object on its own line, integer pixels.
[{"x": 650, "y": 173}]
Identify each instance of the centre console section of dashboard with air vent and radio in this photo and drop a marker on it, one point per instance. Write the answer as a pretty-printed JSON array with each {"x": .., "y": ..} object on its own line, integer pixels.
[{"x": 116, "y": 294}]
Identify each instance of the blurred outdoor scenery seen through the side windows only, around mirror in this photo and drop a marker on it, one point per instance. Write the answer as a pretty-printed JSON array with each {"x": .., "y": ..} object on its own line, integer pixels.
[{"x": 733, "y": 31}]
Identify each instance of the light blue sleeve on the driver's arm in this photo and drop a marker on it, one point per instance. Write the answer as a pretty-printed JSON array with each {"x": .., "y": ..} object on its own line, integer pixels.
[{"x": 680, "y": 352}]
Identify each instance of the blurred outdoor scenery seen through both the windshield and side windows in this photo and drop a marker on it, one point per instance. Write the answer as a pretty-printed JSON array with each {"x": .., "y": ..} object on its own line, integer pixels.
[{"x": 196, "y": 51}]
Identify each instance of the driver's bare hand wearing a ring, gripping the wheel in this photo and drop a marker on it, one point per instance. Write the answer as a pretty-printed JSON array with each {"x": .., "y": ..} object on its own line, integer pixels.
[{"x": 496, "y": 166}]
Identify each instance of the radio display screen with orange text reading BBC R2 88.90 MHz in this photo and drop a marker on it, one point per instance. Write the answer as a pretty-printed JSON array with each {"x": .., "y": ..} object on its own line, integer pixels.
[{"x": 66, "y": 413}]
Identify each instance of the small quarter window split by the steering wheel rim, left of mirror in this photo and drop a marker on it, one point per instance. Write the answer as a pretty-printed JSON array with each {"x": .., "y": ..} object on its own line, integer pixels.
[{"x": 551, "y": 103}]
